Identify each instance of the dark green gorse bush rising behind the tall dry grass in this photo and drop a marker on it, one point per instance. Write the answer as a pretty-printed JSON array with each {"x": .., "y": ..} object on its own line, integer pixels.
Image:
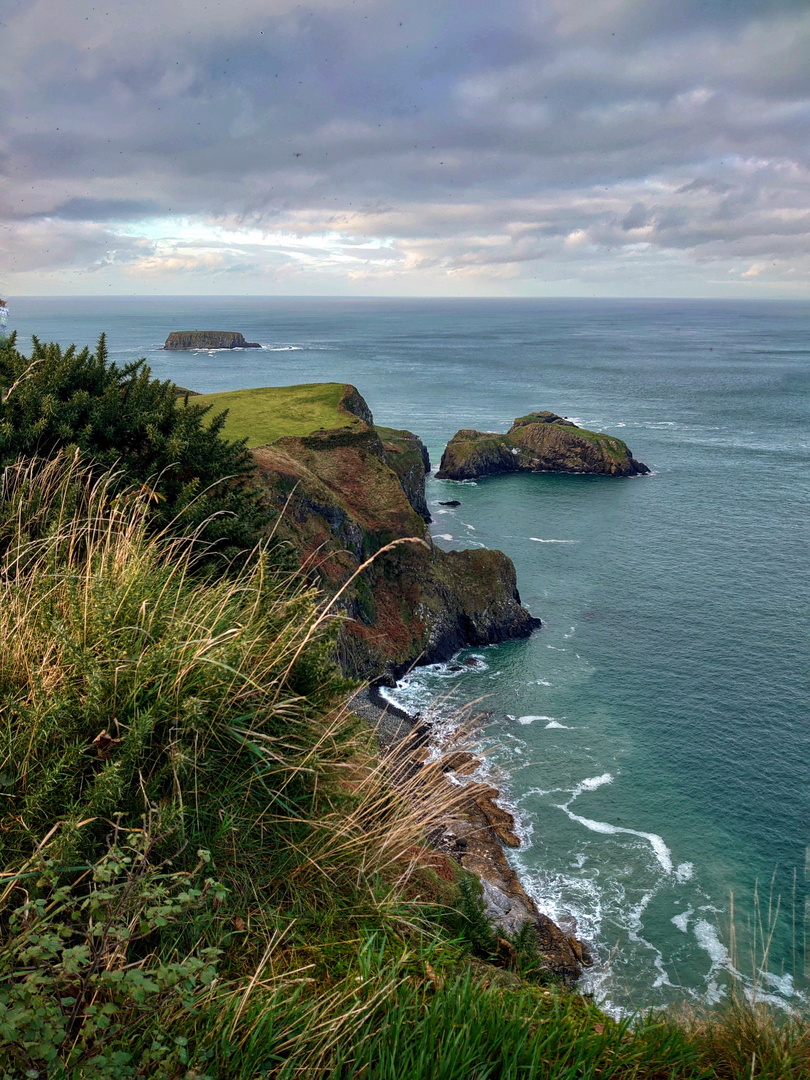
[{"x": 124, "y": 418}]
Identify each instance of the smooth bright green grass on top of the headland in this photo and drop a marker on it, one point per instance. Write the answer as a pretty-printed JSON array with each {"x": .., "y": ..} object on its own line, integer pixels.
[{"x": 268, "y": 413}]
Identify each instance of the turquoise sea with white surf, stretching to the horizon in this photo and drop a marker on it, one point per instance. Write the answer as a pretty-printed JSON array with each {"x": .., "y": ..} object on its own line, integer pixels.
[{"x": 655, "y": 736}]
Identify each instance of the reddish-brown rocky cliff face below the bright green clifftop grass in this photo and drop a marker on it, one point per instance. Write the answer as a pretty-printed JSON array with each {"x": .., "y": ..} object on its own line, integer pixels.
[{"x": 346, "y": 494}]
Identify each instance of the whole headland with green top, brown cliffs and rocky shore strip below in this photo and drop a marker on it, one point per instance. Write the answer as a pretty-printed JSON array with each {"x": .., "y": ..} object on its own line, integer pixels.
[{"x": 345, "y": 489}]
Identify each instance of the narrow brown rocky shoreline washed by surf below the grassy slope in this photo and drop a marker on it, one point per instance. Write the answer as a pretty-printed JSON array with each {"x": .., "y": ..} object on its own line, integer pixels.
[{"x": 474, "y": 831}]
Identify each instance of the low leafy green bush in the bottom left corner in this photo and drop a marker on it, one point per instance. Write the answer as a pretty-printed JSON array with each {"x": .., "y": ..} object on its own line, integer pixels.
[{"x": 78, "y": 976}]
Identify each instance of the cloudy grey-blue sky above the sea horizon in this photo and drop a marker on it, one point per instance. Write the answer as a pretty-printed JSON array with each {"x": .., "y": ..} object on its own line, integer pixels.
[{"x": 429, "y": 148}]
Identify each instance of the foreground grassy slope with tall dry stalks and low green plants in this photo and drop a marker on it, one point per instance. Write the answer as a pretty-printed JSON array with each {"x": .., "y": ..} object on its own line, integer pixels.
[{"x": 210, "y": 874}]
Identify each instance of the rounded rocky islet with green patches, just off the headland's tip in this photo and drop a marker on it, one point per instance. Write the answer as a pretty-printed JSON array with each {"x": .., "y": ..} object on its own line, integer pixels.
[{"x": 539, "y": 442}]
